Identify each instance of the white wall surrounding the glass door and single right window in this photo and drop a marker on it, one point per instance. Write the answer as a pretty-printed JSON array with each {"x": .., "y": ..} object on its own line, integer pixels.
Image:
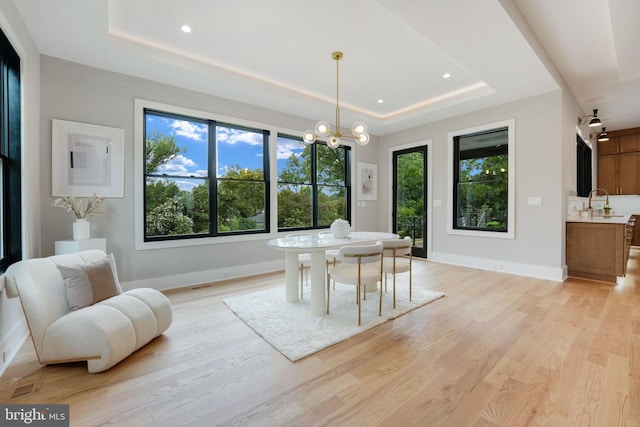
[{"x": 536, "y": 249}]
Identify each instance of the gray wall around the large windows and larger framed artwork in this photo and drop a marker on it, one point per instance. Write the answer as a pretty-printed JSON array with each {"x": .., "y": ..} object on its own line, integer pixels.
[{"x": 83, "y": 94}]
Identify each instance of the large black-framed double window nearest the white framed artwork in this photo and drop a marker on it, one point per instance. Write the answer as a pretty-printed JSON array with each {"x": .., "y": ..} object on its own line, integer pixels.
[{"x": 203, "y": 178}]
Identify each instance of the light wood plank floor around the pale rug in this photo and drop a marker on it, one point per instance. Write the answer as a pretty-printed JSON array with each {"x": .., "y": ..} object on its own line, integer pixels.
[{"x": 498, "y": 350}]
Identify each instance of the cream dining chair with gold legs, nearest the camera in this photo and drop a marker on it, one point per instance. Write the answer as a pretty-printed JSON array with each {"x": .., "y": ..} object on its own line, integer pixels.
[{"x": 360, "y": 265}]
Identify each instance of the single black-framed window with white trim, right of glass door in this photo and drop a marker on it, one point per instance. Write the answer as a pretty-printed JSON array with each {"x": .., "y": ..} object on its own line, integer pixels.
[{"x": 483, "y": 180}]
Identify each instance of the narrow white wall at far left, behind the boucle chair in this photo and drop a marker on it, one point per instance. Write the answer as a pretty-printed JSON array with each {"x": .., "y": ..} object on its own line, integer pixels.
[{"x": 13, "y": 328}]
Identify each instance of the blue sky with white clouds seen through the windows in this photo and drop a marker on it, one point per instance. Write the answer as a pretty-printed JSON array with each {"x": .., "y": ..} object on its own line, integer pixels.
[{"x": 235, "y": 147}]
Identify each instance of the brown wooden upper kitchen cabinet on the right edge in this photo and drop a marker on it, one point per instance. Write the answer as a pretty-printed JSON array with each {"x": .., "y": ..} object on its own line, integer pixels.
[{"x": 619, "y": 162}]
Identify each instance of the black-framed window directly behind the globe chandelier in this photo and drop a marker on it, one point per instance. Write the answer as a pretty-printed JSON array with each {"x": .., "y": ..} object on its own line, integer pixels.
[{"x": 313, "y": 184}]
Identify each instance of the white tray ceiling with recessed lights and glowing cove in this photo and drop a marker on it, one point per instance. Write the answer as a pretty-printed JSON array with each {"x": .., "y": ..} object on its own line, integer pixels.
[{"x": 277, "y": 54}]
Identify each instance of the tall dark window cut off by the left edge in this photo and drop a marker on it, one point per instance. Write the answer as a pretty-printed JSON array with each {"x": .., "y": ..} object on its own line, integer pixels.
[{"x": 10, "y": 161}]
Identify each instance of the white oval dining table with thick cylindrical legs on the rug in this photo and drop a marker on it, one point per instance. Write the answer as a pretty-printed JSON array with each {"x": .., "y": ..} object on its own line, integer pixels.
[{"x": 316, "y": 245}]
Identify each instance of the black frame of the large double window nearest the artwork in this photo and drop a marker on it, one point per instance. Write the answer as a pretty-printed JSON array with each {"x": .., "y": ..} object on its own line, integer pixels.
[{"x": 211, "y": 177}]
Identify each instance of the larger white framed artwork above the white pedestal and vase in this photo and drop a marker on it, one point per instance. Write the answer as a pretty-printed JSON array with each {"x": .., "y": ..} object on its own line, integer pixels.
[{"x": 86, "y": 160}]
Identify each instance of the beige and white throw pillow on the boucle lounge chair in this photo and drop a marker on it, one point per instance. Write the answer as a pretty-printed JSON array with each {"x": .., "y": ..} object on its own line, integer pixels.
[{"x": 90, "y": 282}]
